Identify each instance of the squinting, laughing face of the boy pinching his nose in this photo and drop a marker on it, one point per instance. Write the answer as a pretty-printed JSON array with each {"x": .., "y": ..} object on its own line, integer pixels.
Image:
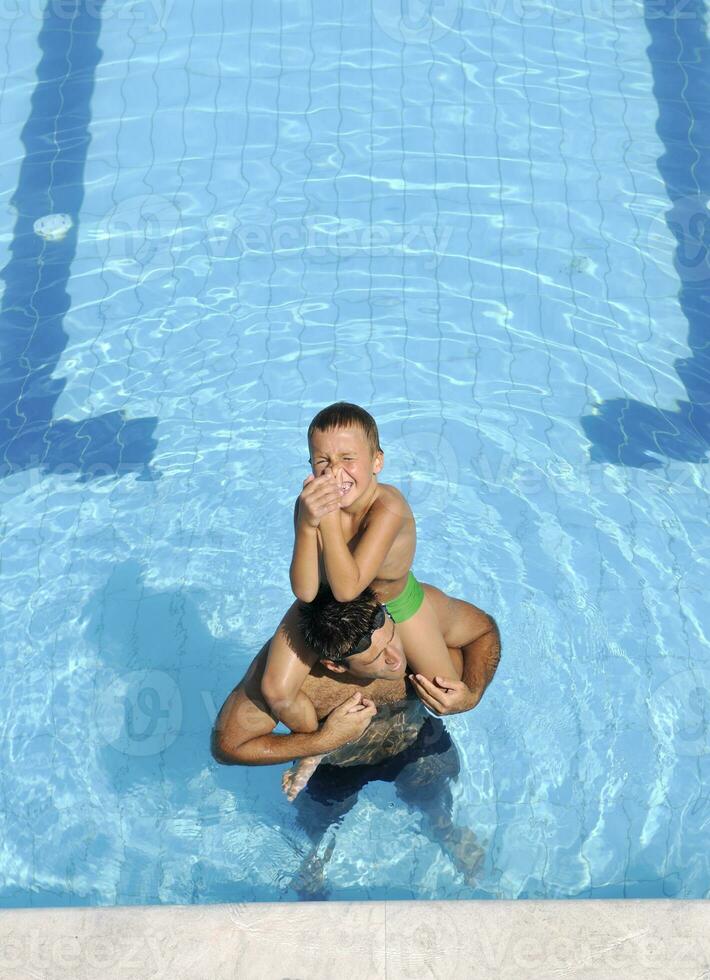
[{"x": 347, "y": 453}]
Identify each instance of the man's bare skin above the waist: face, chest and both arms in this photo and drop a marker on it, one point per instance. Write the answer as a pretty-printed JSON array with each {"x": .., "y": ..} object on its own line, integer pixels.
[{"x": 375, "y": 677}]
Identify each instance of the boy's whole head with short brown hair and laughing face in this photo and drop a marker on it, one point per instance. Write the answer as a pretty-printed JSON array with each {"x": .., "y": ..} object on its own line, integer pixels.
[{"x": 344, "y": 438}]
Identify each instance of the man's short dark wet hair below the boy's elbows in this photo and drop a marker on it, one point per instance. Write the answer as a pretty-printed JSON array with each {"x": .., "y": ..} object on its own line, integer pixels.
[{"x": 333, "y": 628}]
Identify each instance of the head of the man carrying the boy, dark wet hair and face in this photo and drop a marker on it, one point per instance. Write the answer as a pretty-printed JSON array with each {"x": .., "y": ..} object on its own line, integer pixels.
[{"x": 358, "y": 637}]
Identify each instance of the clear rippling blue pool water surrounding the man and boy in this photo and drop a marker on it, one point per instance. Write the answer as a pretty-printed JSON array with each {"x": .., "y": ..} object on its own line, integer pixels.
[{"x": 485, "y": 222}]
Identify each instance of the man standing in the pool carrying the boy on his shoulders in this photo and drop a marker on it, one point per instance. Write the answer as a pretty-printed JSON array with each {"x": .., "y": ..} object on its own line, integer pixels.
[{"x": 372, "y": 724}]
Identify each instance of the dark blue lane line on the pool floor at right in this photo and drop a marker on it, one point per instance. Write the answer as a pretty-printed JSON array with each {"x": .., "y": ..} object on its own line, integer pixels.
[{"x": 623, "y": 430}]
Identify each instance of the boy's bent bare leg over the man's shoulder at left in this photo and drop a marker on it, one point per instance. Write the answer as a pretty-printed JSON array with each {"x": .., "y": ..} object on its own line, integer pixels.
[{"x": 289, "y": 661}]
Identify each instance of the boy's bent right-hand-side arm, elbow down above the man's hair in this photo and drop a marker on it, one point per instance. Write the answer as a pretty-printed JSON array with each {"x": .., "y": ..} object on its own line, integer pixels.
[{"x": 349, "y": 573}]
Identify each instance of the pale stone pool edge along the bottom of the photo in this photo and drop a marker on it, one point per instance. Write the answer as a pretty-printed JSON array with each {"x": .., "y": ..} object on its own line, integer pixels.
[{"x": 590, "y": 939}]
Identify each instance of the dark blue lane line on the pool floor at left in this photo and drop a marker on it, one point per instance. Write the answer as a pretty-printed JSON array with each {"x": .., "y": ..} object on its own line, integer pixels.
[{"x": 56, "y": 138}]
